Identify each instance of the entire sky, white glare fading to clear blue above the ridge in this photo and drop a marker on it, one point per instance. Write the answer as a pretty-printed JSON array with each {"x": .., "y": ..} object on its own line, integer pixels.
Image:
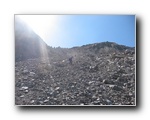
[{"x": 76, "y": 30}]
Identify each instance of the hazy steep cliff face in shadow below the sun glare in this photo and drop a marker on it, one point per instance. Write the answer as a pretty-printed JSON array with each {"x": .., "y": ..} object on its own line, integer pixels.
[{"x": 27, "y": 43}]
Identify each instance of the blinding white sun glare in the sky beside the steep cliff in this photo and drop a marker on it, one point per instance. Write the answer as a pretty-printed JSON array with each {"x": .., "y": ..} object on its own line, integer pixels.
[{"x": 43, "y": 25}]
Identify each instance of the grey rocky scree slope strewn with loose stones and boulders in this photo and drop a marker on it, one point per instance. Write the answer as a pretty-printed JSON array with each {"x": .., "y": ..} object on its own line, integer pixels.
[{"x": 100, "y": 78}]
